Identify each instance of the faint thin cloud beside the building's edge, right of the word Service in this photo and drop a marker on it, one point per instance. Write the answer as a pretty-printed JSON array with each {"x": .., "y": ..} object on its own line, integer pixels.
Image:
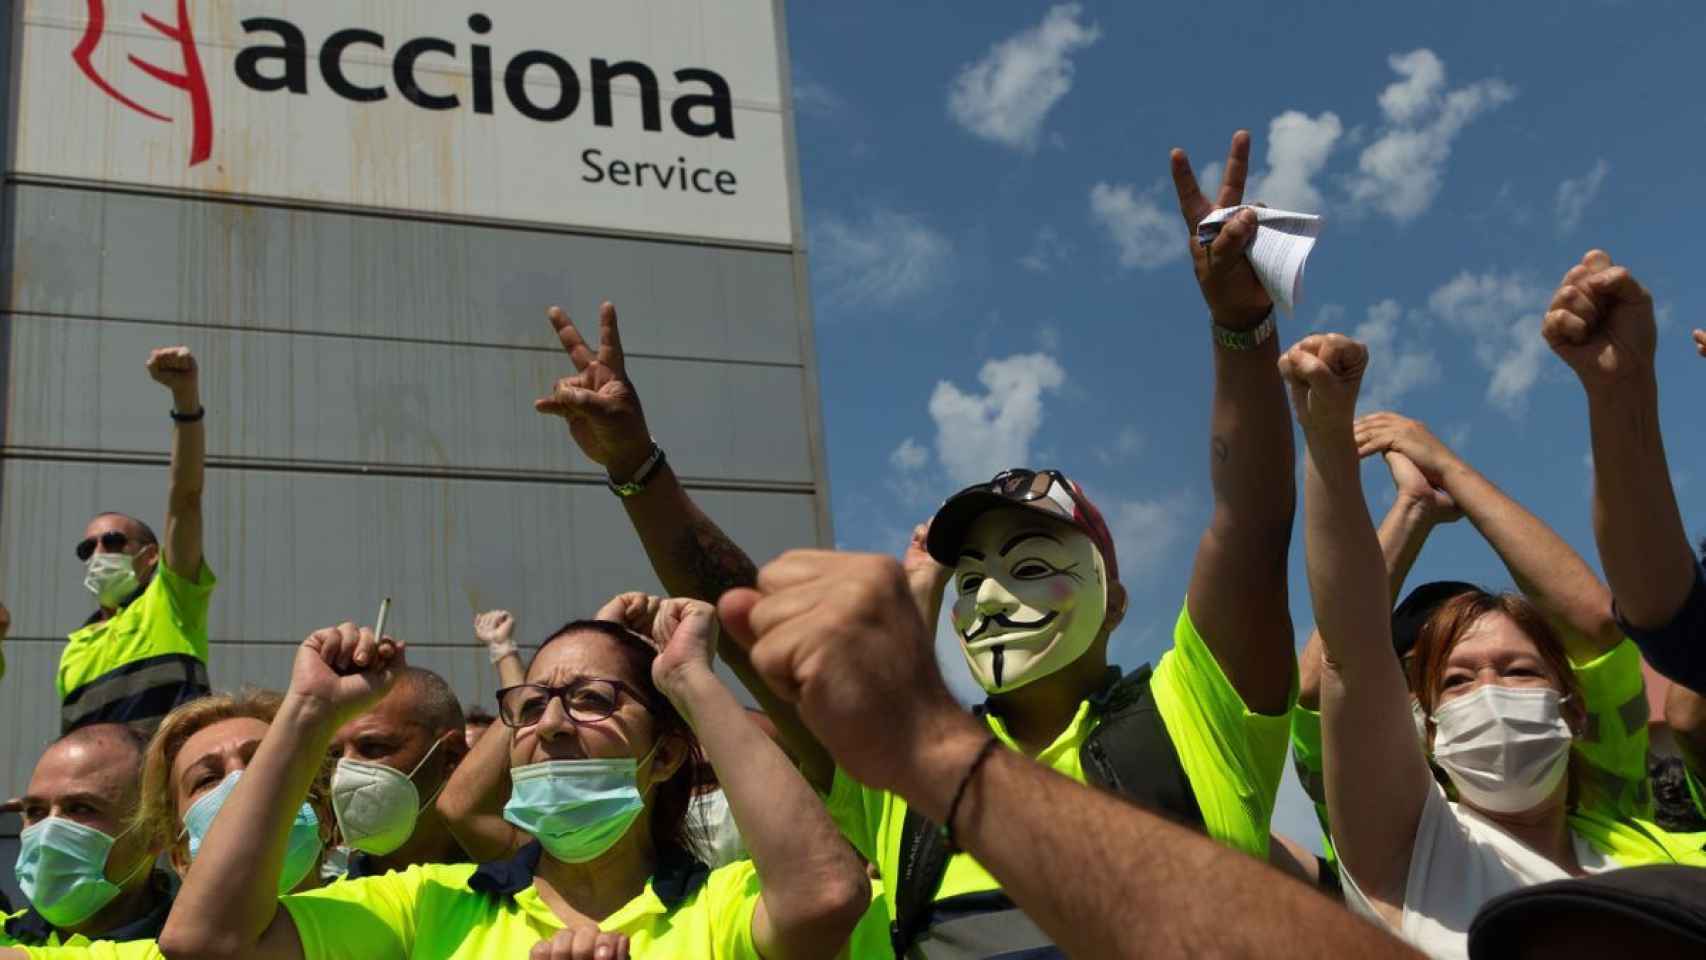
[{"x": 879, "y": 262}]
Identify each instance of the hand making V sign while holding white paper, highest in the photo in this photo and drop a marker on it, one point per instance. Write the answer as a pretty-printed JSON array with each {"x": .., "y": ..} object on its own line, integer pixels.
[{"x": 1236, "y": 298}]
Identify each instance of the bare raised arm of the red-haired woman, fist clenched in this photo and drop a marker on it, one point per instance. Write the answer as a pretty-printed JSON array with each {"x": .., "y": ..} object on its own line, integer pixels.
[{"x": 1376, "y": 775}]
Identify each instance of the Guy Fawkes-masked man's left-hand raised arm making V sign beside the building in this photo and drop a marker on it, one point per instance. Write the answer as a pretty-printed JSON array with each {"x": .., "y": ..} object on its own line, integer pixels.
[{"x": 688, "y": 552}]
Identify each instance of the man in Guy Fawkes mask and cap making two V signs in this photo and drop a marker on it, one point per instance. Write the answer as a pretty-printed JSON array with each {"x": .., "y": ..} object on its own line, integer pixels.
[{"x": 1217, "y": 707}]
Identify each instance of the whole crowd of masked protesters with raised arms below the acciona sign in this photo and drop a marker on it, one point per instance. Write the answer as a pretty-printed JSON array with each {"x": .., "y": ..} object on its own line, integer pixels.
[{"x": 1480, "y": 761}]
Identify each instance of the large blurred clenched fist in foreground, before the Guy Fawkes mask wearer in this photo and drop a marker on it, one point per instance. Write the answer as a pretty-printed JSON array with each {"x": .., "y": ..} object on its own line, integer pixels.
[{"x": 838, "y": 637}]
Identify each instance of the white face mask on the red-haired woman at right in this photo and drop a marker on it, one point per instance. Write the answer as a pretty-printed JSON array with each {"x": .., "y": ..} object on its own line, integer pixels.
[{"x": 1506, "y": 749}]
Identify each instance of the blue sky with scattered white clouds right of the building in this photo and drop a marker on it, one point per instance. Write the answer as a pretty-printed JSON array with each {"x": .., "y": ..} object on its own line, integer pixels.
[{"x": 1001, "y": 277}]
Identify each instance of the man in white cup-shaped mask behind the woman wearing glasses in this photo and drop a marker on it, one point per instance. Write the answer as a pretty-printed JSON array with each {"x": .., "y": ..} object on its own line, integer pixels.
[{"x": 393, "y": 761}]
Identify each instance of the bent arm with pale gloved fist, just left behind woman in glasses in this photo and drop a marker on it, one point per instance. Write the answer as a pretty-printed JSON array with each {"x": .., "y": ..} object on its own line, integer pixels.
[{"x": 473, "y": 799}]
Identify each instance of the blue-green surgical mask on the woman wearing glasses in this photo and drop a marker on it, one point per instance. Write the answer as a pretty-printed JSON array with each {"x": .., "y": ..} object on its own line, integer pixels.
[{"x": 577, "y": 809}]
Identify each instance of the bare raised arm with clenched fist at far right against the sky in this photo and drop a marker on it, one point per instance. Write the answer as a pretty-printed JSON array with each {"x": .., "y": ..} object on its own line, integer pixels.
[{"x": 1601, "y": 323}]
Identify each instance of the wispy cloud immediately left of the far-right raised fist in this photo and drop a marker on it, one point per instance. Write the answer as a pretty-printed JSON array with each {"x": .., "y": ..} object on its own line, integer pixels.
[{"x": 1502, "y": 316}]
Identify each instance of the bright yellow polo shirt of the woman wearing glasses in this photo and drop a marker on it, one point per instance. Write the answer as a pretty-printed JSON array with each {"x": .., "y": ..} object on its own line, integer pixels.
[{"x": 432, "y": 913}]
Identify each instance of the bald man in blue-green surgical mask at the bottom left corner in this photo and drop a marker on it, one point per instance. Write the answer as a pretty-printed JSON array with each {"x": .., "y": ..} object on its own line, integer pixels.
[{"x": 84, "y": 870}]
